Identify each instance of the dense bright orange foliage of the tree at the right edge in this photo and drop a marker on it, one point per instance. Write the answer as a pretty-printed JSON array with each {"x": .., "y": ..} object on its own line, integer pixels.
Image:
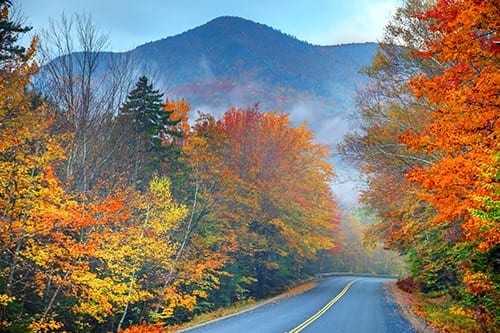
[{"x": 464, "y": 127}]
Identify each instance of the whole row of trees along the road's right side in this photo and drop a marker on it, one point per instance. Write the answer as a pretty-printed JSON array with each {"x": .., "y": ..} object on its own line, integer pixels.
[{"x": 429, "y": 148}]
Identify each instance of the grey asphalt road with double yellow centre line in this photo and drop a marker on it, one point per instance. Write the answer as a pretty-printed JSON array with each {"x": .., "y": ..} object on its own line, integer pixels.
[{"x": 334, "y": 305}]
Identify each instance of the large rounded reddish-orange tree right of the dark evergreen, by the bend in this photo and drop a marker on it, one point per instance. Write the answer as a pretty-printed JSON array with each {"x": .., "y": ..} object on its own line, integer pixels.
[{"x": 268, "y": 184}]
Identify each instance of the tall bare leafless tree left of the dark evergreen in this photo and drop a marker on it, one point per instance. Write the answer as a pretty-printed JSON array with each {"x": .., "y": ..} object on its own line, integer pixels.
[{"x": 86, "y": 88}]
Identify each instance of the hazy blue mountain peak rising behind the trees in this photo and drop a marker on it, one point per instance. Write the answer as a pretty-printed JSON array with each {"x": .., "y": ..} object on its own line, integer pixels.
[{"x": 231, "y": 61}]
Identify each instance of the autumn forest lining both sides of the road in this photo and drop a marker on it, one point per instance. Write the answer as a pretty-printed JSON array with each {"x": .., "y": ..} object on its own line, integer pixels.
[{"x": 121, "y": 211}]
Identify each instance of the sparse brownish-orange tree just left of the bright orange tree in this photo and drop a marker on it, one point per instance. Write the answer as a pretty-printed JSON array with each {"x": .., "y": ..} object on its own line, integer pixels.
[{"x": 387, "y": 109}]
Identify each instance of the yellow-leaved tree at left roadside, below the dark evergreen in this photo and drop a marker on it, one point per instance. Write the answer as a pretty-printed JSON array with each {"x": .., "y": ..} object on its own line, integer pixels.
[{"x": 125, "y": 280}]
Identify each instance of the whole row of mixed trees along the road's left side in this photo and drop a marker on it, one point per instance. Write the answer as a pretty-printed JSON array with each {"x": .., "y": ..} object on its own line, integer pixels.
[{"x": 117, "y": 214}]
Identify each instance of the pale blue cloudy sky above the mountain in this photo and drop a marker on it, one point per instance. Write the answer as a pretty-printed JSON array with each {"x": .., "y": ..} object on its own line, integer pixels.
[{"x": 130, "y": 23}]
